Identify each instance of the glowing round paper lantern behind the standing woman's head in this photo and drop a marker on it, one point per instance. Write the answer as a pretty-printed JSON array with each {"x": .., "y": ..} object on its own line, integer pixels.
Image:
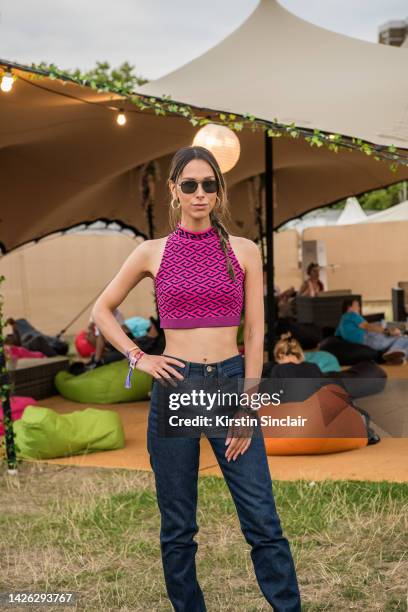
[{"x": 222, "y": 142}]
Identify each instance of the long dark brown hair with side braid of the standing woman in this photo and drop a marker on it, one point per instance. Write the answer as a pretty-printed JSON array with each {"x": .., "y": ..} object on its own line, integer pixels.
[{"x": 220, "y": 211}]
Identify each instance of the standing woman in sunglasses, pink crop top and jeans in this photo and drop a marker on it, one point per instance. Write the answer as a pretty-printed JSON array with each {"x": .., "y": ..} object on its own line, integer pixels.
[{"x": 203, "y": 279}]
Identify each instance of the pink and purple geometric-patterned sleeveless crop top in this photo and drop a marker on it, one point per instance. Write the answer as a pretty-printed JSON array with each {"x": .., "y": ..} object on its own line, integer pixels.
[{"x": 193, "y": 287}]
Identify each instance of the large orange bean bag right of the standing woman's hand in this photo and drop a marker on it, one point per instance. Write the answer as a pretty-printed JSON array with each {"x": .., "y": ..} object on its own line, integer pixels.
[{"x": 323, "y": 423}]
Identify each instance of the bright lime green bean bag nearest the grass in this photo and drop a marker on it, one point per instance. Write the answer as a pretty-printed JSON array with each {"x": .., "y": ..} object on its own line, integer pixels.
[{"x": 42, "y": 433}]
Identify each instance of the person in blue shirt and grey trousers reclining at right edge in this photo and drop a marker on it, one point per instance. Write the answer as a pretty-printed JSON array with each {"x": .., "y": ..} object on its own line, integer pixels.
[{"x": 353, "y": 327}]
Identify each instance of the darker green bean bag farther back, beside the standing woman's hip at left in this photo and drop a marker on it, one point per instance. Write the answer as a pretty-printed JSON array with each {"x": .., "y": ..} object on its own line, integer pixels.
[{"x": 104, "y": 385}]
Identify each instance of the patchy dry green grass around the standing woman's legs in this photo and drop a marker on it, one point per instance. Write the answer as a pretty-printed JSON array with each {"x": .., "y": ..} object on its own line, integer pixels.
[{"x": 96, "y": 531}]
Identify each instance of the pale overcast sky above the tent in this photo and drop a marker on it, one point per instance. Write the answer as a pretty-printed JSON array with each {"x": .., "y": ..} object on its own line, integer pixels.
[{"x": 158, "y": 36}]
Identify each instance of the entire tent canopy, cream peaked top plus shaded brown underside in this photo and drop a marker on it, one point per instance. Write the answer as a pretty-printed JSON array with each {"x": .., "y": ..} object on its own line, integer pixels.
[{"x": 64, "y": 160}]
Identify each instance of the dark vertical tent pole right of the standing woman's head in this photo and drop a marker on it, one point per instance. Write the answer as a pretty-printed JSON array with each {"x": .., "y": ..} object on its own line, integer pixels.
[{"x": 270, "y": 271}]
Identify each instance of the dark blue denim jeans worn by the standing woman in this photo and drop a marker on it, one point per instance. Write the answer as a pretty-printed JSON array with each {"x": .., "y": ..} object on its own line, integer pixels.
[{"x": 175, "y": 463}]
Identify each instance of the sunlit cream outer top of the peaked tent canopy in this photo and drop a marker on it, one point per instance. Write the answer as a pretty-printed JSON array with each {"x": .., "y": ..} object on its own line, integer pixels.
[{"x": 276, "y": 65}]
